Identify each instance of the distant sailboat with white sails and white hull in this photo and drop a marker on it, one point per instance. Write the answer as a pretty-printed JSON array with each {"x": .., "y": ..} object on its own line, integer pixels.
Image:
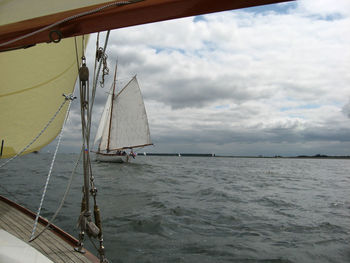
[{"x": 123, "y": 124}]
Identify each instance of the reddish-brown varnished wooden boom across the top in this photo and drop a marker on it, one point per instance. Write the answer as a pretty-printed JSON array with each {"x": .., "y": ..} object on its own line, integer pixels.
[{"x": 135, "y": 13}]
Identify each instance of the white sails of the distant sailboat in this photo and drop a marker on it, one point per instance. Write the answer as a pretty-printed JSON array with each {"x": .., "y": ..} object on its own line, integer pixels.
[{"x": 129, "y": 124}]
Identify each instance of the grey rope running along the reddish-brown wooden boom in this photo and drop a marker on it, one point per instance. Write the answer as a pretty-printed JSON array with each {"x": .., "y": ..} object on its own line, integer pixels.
[{"x": 96, "y": 10}]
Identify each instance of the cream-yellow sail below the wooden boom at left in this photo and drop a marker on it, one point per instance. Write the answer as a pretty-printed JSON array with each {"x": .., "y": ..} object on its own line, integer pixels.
[{"x": 32, "y": 83}]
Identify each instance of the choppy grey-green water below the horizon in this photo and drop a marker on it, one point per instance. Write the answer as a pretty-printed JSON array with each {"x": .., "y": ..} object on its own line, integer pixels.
[{"x": 186, "y": 209}]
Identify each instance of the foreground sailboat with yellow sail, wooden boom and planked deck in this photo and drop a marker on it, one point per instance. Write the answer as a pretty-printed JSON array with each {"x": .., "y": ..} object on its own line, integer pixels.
[{"x": 41, "y": 54}]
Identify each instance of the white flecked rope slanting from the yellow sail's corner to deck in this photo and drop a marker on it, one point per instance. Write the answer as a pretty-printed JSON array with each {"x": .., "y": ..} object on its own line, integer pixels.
[{"x": 70, "y": 98}]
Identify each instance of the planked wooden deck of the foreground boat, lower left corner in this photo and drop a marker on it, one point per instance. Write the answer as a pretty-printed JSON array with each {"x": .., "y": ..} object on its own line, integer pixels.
[{"x": 54, "y": 243}]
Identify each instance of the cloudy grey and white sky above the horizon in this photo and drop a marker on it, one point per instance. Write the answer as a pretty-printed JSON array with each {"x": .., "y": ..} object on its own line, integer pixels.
[{"x": 272, "y": 80}]
